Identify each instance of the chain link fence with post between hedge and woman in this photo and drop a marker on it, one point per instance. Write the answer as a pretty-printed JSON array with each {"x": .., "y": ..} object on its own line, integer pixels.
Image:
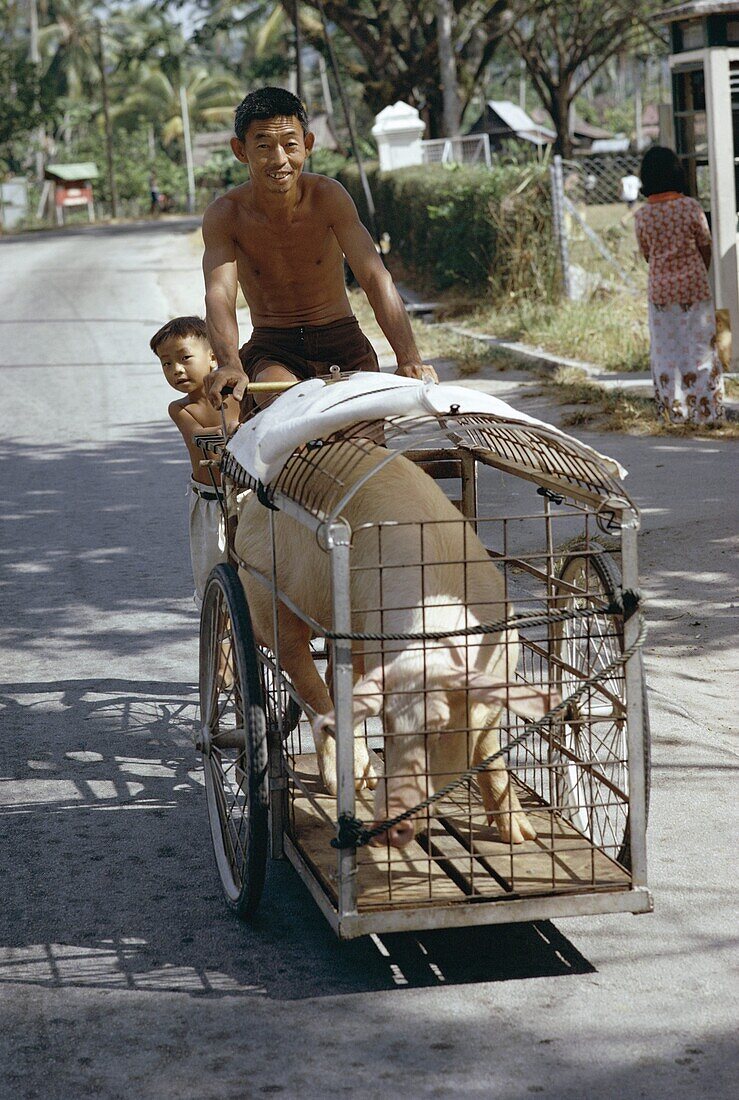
[{"x": 594, "y": 200}]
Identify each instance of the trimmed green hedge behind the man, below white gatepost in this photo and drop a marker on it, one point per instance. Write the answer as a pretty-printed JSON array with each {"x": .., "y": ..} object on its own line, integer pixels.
[{"x": 454, "y": 226}]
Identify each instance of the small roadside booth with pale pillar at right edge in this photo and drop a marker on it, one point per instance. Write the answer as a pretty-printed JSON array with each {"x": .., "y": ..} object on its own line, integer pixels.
[{"x": 705, "y": 97}]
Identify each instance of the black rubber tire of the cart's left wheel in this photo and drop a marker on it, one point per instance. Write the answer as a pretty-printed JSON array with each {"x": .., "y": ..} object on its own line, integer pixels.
[{"x": 242, "y": 890}]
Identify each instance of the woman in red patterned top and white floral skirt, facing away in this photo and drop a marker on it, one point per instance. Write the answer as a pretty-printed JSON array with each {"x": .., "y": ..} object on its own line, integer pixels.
[{"x": 675, "y": 239}]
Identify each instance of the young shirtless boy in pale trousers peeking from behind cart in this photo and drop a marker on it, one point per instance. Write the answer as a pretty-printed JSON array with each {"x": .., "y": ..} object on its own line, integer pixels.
[{"x": 187, "y": 360}]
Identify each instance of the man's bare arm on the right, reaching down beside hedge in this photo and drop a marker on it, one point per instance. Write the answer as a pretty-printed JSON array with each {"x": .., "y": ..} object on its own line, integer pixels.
[{"x": 376, "y": 281}]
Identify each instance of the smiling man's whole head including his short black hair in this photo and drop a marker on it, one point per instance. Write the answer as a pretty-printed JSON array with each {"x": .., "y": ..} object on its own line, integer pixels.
[{"x": 272, "y": 138}]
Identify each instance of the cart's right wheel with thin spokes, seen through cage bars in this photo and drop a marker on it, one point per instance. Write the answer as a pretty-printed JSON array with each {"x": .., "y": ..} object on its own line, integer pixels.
[{"x": 594, "y": 795}]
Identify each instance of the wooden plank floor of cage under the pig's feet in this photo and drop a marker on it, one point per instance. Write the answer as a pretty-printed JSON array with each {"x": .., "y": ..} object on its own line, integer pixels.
[{"x": 460, "y": 859}]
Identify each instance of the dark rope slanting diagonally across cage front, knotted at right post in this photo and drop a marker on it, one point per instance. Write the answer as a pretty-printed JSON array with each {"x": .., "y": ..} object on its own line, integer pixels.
[{"x": 351, "y": 832}]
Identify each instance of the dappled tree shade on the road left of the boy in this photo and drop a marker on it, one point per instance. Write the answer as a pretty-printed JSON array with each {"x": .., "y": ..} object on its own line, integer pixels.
[{"x": 95, "y": 545}]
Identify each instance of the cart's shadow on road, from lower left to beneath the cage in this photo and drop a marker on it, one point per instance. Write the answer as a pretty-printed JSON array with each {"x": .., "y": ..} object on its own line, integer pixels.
[{"x": 112, "y": 881}]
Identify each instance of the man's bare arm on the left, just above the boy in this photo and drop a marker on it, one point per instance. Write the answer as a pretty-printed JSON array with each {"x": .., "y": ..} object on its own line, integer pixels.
[{"x": 219, "y": 268}]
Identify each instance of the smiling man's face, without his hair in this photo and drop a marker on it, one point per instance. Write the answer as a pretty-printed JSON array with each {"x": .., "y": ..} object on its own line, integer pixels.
[{"x": 275, "y": 151}]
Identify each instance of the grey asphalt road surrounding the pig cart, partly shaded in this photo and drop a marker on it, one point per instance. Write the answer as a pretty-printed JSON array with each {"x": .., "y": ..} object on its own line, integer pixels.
[{"x": 122, "y": 973}]
